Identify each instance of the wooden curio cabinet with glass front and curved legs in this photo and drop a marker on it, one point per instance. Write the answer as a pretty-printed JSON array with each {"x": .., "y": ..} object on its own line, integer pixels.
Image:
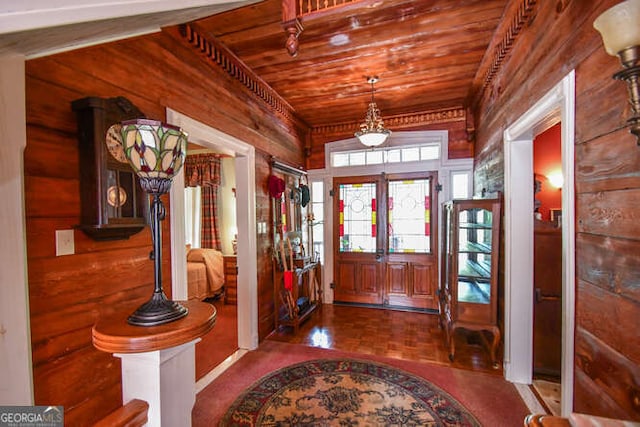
[{"x": 468, "y": 293}]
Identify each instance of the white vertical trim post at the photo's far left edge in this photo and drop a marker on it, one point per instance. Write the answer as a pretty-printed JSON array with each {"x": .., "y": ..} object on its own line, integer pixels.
[{"x": 16, "y": 387}]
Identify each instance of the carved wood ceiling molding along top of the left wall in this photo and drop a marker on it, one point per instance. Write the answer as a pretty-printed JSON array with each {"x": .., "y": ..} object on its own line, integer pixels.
[{"x": 220, "y": 55}]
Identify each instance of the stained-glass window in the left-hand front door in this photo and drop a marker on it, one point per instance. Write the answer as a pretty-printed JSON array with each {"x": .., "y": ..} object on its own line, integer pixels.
[{"x": 357, "y": 217}]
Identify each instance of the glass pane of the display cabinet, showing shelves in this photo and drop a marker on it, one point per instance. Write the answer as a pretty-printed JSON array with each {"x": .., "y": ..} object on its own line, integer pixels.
[{"x": 474, "y": 255}]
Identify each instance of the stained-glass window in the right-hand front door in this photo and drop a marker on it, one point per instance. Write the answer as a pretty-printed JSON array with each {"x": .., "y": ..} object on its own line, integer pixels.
[{"x": 409, "y": 204}]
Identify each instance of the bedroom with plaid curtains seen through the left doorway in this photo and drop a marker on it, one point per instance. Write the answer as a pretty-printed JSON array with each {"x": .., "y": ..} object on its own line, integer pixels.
[{"x": 211, "y": 238}]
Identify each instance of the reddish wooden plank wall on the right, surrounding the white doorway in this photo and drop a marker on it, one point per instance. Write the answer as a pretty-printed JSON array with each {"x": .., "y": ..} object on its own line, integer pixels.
[{"x": 557, "y": 39}]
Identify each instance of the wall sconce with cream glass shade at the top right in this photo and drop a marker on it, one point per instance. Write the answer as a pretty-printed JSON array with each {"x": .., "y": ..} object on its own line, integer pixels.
[{"x": 620, "y": 33}]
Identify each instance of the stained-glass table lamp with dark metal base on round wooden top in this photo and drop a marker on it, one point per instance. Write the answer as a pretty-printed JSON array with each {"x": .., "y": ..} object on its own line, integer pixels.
[{"x": 156, "y": 152}]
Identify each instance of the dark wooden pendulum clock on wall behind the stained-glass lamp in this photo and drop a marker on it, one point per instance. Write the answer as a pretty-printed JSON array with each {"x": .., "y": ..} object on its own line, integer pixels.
[{"x": 113, "y": 206}]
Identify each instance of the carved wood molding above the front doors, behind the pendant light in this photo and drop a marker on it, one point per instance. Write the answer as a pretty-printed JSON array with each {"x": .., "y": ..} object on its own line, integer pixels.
[{"x": 401, "y": 121}]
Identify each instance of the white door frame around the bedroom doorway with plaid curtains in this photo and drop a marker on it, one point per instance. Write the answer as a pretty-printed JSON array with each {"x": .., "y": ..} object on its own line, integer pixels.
[{"x": 209, "y": 137}]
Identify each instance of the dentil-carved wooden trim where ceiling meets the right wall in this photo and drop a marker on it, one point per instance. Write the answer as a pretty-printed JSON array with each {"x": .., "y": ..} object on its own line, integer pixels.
[{"x": 519, "y": 18}]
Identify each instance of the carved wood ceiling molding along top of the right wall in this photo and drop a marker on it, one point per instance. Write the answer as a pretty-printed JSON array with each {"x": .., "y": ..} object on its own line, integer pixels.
[{"x": 507, "y": 35}]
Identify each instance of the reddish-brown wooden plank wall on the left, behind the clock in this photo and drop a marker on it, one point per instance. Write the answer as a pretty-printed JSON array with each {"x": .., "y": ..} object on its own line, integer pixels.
[{"x": 68, "y": 294}]
